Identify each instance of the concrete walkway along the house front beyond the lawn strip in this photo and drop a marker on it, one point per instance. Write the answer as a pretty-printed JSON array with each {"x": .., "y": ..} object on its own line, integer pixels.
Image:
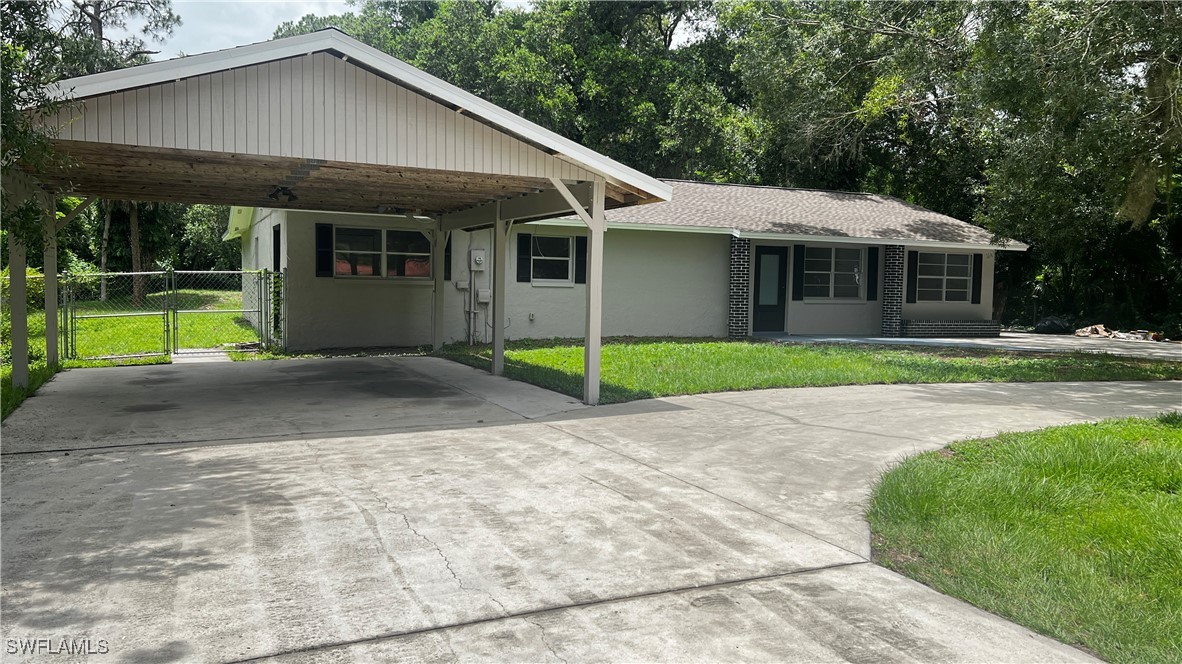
[{"x": 1021, "y": 342}]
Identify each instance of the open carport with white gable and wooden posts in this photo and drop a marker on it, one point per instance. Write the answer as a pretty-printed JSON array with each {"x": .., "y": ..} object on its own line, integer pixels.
[{"x": 323, "y": 122}]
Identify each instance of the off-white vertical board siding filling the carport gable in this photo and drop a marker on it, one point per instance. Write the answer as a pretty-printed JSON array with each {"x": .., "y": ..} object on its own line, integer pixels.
[{"x": 313, "y": 107}]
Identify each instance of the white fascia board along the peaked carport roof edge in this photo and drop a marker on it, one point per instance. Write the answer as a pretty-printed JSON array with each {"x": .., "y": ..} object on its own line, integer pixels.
[{"x": 393, "y": 68}]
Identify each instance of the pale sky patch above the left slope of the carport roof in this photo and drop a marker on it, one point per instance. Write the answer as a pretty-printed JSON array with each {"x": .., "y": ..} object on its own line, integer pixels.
[{"x": 213, "y": 25}]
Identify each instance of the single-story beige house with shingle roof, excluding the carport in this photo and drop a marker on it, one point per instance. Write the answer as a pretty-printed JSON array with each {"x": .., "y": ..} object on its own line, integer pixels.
[{"x": 716, "y": 261}]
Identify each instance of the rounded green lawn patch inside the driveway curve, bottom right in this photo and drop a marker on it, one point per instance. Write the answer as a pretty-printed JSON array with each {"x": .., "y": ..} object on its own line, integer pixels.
[{"x": 1075, "y": 532}]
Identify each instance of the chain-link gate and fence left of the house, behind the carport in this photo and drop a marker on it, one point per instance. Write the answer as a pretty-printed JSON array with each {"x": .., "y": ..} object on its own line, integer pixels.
[{"x": 152, "y": 314}]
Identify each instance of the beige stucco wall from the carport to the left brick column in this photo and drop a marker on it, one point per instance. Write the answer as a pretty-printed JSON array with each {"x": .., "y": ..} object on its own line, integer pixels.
[{"x": 655, "y": 284}]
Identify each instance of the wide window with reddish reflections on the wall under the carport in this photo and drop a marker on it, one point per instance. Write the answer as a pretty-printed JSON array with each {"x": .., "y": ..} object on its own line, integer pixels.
[{"x": 374, "y": 252}]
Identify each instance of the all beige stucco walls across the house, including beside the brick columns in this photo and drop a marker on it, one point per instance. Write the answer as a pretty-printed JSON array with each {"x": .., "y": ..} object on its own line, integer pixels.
[{"x": 657, "y": 284}]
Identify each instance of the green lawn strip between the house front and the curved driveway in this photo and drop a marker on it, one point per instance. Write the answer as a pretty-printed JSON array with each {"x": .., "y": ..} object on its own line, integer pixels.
[{"x": 634, "y": 369}]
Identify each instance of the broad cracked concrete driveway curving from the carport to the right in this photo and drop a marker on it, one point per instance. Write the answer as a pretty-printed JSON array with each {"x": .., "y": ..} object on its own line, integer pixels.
[{"x": 424, "y": 511}]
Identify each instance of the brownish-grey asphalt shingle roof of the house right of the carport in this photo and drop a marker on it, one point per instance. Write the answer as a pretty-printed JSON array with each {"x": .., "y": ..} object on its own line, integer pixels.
[{"x": 800, "y": 212}]
